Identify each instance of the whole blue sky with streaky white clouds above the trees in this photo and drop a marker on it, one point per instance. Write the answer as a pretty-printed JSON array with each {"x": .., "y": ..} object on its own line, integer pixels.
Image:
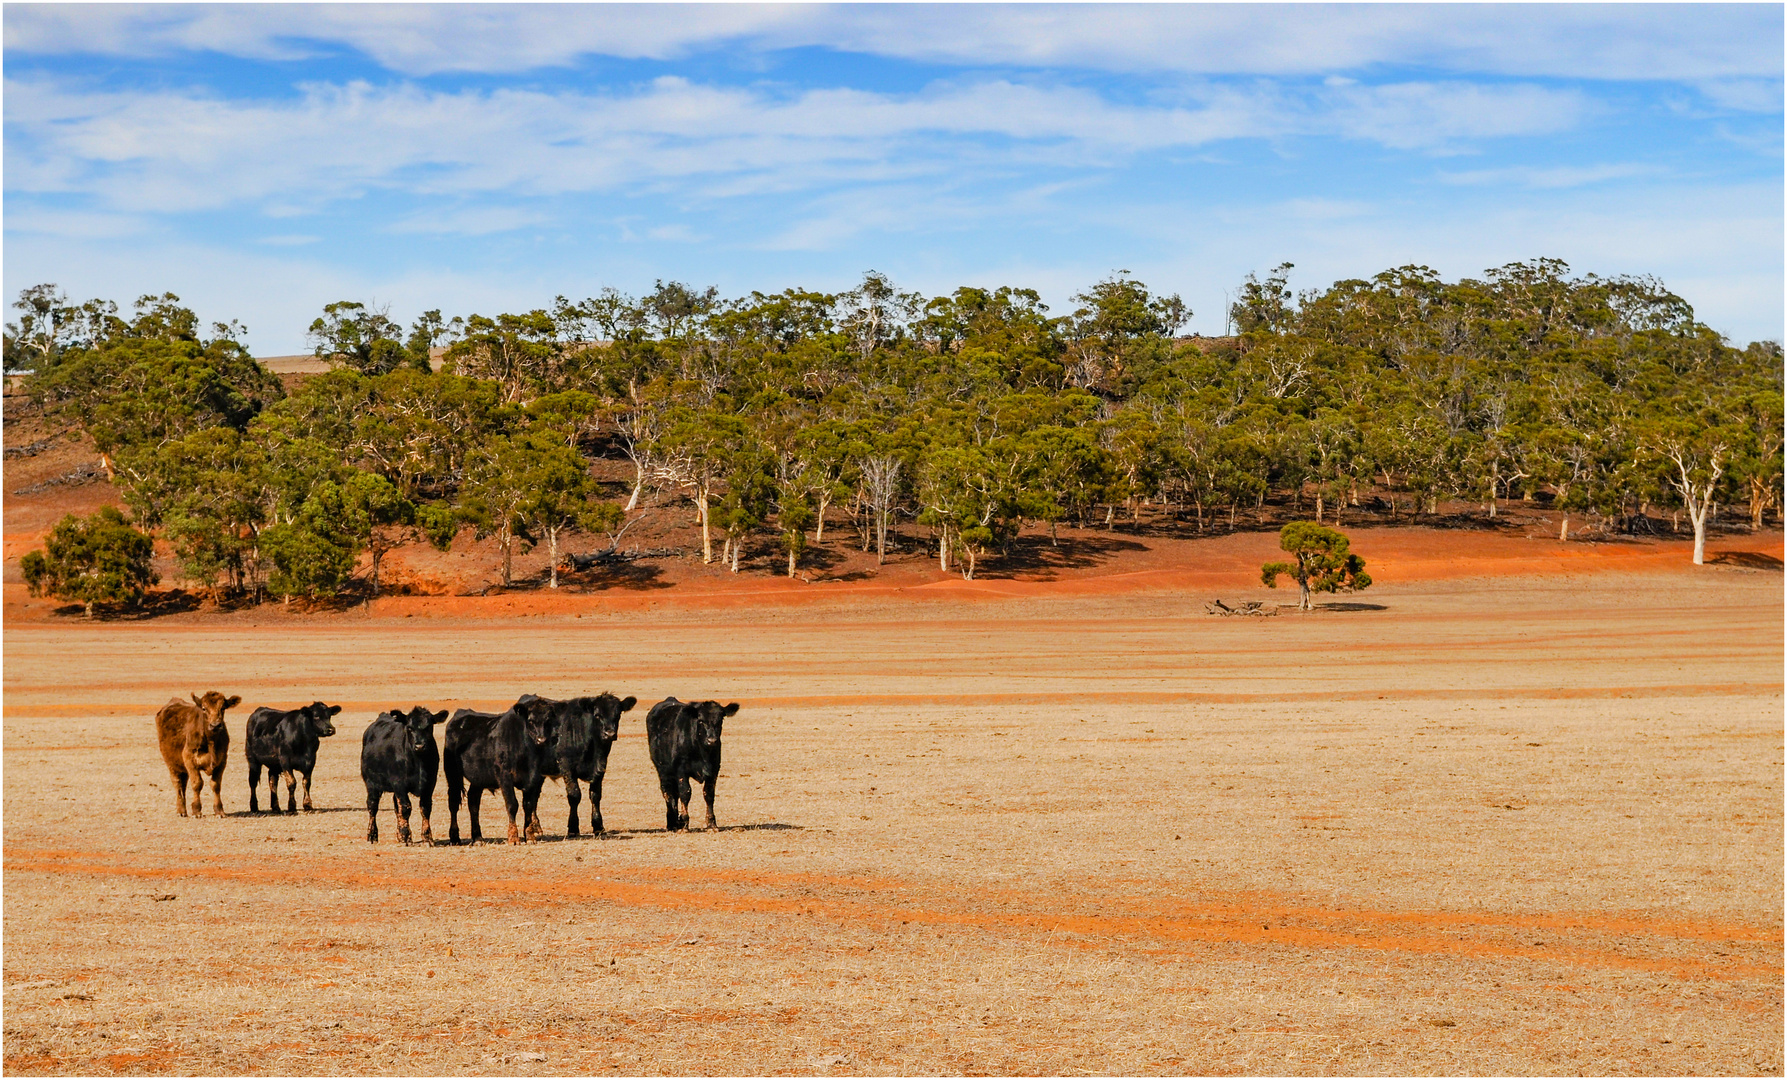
[{"x": 267, "y": 160}]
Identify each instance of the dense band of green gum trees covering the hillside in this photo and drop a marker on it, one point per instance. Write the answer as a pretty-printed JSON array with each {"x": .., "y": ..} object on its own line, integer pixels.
[{"x": 968, "y": 416}]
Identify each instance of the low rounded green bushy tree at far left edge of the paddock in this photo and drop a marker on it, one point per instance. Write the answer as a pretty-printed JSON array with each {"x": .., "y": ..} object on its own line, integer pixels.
[{"x": 101, "y": 561}]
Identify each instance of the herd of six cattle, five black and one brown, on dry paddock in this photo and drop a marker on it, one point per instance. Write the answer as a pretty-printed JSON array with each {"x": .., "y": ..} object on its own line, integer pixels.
[{"x": 514, "y": 752}]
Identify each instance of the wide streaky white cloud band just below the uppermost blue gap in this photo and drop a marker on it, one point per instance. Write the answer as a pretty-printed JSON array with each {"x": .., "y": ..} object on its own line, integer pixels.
[{"x": 181, "y": 151}]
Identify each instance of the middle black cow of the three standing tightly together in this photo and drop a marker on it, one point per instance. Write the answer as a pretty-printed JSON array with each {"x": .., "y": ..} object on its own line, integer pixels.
[{"x": 489, "y": 752}]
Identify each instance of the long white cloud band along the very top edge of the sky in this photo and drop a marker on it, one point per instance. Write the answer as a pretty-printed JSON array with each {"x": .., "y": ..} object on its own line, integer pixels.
[{"x": 1579, "y": 42}]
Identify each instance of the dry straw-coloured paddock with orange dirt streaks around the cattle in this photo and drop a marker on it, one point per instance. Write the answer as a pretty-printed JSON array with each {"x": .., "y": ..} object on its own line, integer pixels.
[{"x": 1498, "y": 825}]
